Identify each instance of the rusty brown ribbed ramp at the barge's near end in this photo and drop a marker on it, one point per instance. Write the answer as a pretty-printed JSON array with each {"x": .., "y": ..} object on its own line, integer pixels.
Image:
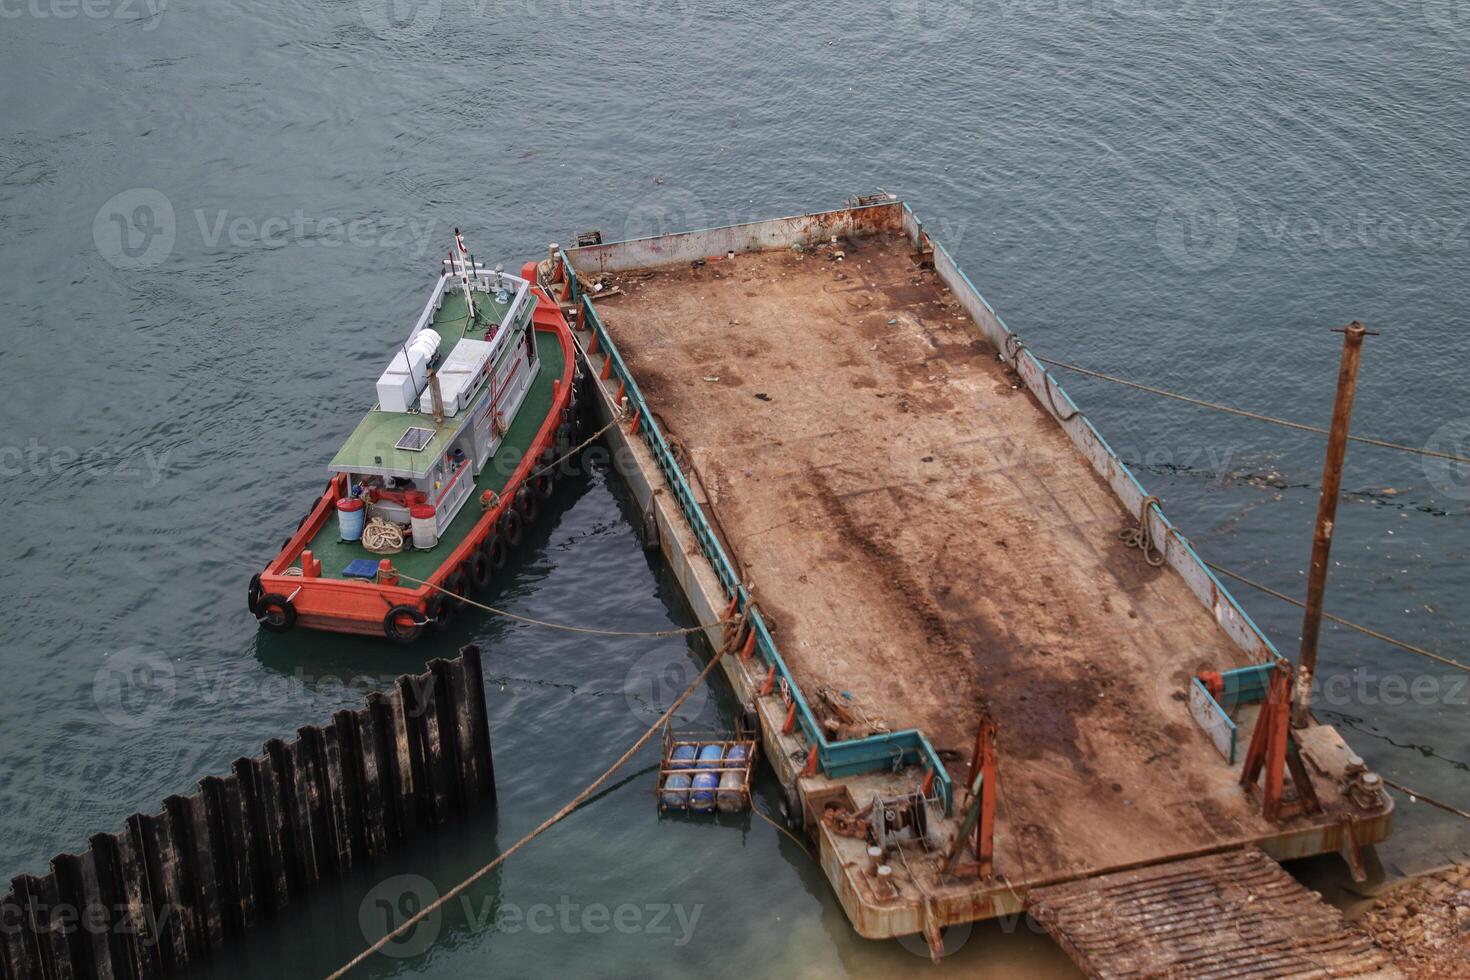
[{"x": 1233, "y": 915}]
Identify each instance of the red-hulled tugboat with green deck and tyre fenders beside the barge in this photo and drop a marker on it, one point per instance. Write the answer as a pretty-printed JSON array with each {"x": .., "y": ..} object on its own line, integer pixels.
[{"x": 440, "y": 480}]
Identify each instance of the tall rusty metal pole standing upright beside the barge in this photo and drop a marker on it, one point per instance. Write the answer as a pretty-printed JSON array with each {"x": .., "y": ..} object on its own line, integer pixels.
[{"x": 1328, "y": 512}]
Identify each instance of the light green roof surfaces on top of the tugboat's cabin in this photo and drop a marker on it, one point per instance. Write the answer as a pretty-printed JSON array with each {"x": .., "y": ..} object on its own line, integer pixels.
[{"x": 371, "y": 446}]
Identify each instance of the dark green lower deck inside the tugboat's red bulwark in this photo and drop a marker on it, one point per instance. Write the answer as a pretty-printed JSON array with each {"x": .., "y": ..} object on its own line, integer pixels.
[{"x": 336, "y": 555}]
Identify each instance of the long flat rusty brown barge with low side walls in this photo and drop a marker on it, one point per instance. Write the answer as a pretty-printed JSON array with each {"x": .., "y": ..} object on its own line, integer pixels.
[{"x": 828, "y": 418}]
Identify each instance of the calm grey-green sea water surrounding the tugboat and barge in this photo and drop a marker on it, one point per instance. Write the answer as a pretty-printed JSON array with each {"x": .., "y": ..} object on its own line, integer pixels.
[{"x": 215, "y": 220}]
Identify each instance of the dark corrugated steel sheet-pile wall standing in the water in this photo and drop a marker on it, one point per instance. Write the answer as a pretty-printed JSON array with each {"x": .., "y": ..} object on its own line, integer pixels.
[{"x": 179, "y": 885}]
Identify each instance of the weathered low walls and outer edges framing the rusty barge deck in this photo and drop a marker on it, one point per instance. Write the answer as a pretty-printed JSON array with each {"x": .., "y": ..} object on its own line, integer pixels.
[{"x": 705, "y": 572}]
